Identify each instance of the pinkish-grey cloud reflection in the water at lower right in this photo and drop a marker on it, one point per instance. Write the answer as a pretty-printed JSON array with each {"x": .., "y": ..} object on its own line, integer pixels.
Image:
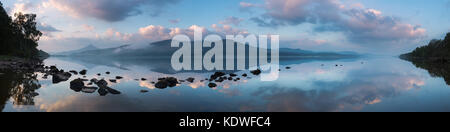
[{"x": 353, "y": 95}]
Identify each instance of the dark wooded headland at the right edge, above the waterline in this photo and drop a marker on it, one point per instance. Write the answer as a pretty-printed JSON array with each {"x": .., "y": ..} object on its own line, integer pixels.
[{"x": 435, "y": 51}]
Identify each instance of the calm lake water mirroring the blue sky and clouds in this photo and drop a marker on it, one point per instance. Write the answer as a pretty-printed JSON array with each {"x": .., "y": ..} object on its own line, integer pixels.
[{"x": 365, "y": 84}]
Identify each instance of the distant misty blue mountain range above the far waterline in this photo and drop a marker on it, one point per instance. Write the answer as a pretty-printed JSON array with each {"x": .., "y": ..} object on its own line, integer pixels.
[{"x": 162, "y": 49}]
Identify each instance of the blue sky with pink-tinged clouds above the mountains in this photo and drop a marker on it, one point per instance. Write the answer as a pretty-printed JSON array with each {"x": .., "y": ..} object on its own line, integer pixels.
[{"x": 367, "y": 26}]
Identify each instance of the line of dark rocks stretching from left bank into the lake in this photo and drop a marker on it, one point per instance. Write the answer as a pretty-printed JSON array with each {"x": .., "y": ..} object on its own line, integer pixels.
[{"x": 82, "y": 84}]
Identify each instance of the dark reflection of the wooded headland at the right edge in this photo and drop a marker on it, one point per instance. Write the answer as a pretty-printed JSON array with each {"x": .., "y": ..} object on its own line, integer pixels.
[{"x": 435, "y": 69}]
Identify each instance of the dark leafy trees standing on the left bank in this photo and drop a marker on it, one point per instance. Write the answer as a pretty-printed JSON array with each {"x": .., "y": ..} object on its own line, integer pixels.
[{"x": 18, "y": 37}]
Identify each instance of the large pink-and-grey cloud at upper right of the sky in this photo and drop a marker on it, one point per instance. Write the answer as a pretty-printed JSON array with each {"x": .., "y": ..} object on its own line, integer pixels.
[{"x": 359, "y": 24}]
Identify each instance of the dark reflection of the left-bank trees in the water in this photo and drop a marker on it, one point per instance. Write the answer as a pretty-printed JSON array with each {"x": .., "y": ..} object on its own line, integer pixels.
[{"x": 20, "y": 87}]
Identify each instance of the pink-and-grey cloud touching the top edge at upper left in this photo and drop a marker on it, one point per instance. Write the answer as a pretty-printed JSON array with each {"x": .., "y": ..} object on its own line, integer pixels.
[{"x": 109, "y": 10}]
